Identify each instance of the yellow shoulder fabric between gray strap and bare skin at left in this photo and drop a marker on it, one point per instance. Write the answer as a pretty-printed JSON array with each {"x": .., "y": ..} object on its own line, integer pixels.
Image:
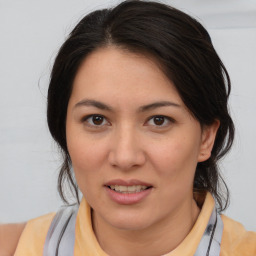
[{"x": 33, "y": 236}]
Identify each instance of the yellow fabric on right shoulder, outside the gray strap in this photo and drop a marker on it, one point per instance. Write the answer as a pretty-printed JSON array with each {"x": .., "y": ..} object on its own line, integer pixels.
[{"x": 236, "y": 240}]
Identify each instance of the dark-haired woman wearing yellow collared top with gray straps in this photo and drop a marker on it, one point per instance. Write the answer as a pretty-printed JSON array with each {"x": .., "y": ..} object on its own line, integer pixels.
[{"x": 137, "y": 103}]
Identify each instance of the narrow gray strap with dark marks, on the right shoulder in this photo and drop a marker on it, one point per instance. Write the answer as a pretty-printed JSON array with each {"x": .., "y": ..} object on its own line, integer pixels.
[{"x": 210, "y": 242}]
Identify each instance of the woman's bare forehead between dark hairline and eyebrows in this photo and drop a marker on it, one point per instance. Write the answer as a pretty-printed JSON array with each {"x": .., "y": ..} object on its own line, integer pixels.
[{"x": 112, "y": 72}]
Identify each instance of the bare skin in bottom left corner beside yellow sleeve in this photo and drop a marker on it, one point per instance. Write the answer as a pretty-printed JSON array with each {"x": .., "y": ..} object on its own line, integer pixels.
[{"x": 9, "y": 237}]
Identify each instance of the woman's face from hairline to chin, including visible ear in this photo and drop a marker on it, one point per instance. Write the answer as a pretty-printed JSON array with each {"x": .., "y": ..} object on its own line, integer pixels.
[{"x": 133, "y": 144}]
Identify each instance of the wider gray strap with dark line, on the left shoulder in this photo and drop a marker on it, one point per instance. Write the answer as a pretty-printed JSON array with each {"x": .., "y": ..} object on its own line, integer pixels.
[{"x": 60, "y": 238}]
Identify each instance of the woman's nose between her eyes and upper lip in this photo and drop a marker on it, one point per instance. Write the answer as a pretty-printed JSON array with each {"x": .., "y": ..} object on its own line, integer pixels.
[{"x": 126, "y": 150}]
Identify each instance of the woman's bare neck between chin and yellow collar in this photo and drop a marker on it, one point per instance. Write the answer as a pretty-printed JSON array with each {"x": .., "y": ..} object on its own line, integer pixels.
[{"x": 159, "y": 239}]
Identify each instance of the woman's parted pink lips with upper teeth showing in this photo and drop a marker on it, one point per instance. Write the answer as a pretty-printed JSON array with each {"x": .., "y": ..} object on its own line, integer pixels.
[{"x": 127, "y": 192}]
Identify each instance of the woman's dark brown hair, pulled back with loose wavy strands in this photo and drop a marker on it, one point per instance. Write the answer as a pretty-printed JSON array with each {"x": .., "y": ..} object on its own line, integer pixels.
[{"x": 184, "y": 50}]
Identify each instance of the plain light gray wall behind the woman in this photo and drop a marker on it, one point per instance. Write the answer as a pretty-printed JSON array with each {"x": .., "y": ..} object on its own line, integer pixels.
[{"x": 31, "y": 33}]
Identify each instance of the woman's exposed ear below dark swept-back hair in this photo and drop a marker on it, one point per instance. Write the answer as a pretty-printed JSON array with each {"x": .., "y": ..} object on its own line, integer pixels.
[{"x": 208, "y": 138}]
